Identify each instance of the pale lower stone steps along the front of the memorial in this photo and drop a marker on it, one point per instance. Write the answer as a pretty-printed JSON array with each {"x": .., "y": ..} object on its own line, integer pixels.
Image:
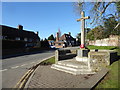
[{"x": 72, "y": 70}]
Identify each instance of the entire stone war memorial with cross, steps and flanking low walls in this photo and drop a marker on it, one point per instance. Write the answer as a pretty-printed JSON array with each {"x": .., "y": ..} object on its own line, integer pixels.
[{"x": 83, "y": 60}]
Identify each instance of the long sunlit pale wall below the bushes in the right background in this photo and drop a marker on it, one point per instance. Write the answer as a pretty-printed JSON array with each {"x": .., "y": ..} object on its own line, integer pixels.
[{"x": 113, "y": 40}]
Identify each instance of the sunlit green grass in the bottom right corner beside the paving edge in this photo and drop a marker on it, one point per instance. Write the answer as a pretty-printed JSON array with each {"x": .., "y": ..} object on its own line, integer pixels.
[{"x": 111, "y": 80}]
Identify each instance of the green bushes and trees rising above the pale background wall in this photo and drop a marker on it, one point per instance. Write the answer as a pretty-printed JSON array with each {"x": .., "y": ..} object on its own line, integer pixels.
[{"x": 101, "y": 32}]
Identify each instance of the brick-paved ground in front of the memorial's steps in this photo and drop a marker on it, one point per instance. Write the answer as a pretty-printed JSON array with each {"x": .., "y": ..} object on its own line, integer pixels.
[{"x": 46, "y": 77}]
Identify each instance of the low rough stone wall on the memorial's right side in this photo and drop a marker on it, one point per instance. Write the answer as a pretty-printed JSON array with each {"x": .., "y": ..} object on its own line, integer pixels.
[{"x": 101, "y": 59}]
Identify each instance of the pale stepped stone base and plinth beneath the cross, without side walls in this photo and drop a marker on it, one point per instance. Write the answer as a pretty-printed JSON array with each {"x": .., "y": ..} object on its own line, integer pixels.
[{"x": 78, "y": 65}]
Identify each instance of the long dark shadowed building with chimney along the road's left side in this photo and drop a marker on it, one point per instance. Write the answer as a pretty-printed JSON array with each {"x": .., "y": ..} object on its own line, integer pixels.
[{"x": 30, "y": 38}]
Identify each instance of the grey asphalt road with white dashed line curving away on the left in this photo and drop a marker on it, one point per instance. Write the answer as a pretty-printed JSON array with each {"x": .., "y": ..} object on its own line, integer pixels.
[{"x": 14, "y": 68}]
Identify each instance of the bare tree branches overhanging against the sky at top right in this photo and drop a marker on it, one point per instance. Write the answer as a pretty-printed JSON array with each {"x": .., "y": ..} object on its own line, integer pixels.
[{"x": 98, "y": 10}]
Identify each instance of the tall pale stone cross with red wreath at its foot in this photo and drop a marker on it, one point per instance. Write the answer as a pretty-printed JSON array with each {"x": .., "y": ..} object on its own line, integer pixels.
[{"x": 82, "y": 19}]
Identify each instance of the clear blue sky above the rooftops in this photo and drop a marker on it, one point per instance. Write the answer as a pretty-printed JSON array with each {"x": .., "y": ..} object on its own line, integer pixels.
[{"x": 45, "y": 17}]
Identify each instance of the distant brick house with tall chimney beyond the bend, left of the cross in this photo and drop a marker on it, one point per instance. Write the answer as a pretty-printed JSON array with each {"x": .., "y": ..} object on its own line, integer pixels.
[{"x": 65, "y": 40}]
